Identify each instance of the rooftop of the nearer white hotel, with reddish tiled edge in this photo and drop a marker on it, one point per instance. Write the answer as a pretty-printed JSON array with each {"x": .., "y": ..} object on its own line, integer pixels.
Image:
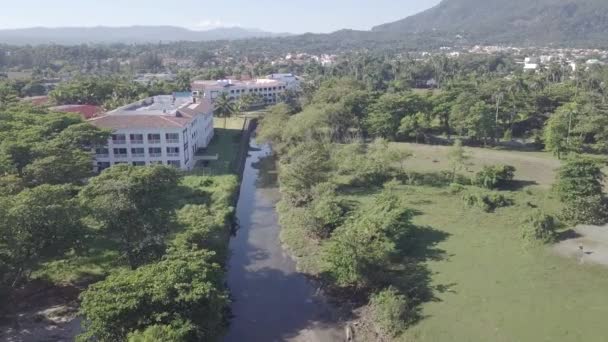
[{"x": 163, "y": 111}]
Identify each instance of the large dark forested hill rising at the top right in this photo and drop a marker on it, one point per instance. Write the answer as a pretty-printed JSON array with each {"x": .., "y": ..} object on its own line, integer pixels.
[{"x": 538, "y": 22}]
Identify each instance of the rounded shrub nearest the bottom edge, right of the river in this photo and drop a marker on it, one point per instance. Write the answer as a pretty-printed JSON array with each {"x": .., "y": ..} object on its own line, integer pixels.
[{"x": 389, "y": 312}]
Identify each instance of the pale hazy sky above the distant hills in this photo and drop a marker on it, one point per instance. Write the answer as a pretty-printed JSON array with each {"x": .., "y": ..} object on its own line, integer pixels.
[{"x": 295, "y": 16}]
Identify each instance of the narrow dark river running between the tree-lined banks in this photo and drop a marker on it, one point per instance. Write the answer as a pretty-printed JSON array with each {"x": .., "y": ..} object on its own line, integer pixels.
[{"x": 272, "y": 301}]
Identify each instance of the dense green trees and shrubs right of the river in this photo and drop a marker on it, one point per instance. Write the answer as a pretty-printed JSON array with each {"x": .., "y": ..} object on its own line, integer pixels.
[{"x": 338, "y": 144}]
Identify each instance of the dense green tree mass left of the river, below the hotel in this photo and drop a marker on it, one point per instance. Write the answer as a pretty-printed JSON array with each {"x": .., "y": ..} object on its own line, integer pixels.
[{"x": 150, "y": 236}]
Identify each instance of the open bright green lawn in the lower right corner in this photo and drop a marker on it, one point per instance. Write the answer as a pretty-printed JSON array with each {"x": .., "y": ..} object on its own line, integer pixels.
[{"x": 494, "y": 288}]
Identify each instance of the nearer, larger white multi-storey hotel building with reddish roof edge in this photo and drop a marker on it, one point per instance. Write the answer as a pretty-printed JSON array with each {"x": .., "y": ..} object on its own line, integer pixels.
[{"x": 165, "y": 129}]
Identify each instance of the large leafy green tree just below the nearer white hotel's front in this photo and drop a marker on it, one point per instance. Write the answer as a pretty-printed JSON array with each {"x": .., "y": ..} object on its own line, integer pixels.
[{"x": 133, "y": 205}]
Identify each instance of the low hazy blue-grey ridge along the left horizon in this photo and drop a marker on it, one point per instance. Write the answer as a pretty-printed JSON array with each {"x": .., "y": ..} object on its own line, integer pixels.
[{"x": 132, "y": 34}]
